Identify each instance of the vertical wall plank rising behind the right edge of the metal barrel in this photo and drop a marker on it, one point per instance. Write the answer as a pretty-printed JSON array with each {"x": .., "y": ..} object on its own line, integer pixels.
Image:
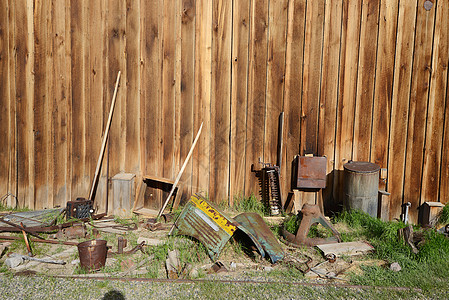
[{"x": 386, "y": 50}]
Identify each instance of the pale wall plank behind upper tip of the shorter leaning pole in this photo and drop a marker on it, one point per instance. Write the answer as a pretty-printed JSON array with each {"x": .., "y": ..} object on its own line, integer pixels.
[{"x": 203, "y": 57}]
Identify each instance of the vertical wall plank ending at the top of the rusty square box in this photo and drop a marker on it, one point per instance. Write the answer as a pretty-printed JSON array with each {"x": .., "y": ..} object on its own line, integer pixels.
[{"x": 311, "y": 77}]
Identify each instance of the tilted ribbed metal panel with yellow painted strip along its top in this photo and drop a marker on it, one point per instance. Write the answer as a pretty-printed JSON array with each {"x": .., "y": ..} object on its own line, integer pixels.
[{"x": 207, "y": 224}]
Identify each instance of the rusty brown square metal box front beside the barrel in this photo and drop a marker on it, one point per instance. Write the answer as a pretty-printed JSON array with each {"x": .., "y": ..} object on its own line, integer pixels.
[{"x": 311, "y": 172}]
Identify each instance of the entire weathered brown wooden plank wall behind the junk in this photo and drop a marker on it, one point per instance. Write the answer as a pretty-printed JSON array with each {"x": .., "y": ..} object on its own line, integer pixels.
[{"x": 357, "y": 80}]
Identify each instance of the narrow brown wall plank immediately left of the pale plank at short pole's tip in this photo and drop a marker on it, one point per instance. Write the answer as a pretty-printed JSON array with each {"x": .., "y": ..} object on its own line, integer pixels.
[{"x": 187, "y": 88}]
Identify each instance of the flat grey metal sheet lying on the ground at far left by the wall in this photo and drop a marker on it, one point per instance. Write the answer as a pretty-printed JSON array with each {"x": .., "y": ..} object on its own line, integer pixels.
[{"x": 34, "y": 218}]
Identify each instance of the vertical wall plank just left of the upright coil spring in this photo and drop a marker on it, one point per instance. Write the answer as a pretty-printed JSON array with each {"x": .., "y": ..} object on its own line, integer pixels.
[{"x": 256, "y": 92}]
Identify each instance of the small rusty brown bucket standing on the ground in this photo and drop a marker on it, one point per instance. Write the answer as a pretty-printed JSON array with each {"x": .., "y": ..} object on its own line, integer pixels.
[{"x": 92, "y": 254}]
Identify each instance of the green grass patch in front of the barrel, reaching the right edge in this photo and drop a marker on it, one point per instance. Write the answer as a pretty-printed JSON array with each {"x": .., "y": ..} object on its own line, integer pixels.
[{"x": 428, "y": 270}]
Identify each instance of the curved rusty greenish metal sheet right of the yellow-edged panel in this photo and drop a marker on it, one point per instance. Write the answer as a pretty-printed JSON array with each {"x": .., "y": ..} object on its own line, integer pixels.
[{"x": 255, "y": 224}]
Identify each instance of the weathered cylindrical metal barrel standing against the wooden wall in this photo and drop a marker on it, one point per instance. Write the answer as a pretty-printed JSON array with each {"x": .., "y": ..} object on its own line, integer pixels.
[{"x": 361, "y": 186}]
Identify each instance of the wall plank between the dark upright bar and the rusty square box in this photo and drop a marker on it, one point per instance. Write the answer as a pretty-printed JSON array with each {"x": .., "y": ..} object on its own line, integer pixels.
[{"x": 292, "y": 89}]
